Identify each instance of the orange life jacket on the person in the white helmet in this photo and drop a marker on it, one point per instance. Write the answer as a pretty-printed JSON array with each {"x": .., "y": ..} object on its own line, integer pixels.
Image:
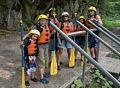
[{"x": 67, "y": 27}]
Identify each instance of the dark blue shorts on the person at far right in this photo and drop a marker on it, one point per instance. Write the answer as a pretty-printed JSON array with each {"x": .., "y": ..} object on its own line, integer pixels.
[{"x": 92, "y": 41}]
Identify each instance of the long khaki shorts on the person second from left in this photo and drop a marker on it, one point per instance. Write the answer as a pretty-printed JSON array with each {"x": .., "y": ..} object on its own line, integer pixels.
[{"x": 43, "y": 57}]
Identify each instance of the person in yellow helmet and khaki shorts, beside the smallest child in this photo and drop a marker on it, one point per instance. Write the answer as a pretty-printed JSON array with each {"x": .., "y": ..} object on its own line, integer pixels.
[{"x": 43, "y": 44}]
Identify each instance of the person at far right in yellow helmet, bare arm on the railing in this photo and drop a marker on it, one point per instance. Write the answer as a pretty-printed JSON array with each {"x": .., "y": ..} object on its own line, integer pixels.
[{"x": 92, "y": 41}]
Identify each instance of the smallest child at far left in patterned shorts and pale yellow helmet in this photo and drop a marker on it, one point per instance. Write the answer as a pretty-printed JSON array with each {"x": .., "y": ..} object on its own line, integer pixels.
[{"x": 31, "y": 50}]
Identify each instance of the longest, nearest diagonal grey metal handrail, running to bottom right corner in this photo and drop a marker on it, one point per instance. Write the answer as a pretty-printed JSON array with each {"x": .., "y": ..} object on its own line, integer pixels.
[{"x": 107, "y": 74}]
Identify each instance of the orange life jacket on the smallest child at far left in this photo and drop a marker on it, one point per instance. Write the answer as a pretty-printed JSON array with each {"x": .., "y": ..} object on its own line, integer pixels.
[{"x": 32, "y": 48}]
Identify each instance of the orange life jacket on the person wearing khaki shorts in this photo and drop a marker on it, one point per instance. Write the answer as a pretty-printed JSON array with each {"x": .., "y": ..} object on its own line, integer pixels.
[{"x": 44, "y": 35}]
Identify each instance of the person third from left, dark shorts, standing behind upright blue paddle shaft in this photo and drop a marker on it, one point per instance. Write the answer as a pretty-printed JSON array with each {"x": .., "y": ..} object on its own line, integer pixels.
[{"x": 54, "y": 33}]
